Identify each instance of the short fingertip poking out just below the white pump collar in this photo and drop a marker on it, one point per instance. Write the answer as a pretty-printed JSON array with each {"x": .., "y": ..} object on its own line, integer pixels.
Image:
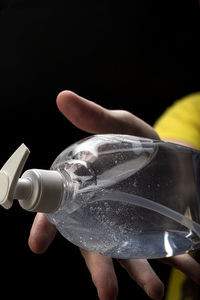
[{"x": 41, "y": 235}]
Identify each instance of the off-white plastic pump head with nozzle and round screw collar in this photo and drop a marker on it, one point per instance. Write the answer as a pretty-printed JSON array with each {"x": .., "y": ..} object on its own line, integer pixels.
[{"x": 37, "y": 190}]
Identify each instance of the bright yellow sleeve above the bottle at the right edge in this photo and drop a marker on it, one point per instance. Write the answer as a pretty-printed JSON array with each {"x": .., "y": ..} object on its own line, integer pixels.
[{"x": 181, "y": 121}]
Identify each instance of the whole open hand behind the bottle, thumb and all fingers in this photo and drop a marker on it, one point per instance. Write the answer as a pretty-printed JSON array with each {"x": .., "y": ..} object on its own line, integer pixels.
[{"x": 93, "y": 118}]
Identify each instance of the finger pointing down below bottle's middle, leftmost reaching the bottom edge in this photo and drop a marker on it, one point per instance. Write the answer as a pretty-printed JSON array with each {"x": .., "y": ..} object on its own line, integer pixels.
[{"x": 103, "y": 275}]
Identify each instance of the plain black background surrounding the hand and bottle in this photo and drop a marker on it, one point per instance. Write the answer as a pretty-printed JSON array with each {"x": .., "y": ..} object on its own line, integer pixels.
[{"x": 133, "y": 55}]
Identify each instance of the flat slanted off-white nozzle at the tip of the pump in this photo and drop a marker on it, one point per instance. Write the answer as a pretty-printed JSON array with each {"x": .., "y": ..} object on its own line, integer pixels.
[{"x": 10, "y": 173}]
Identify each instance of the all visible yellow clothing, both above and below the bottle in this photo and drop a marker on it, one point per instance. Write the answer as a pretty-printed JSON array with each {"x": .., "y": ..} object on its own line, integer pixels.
[{"x": 181, "y": 121}]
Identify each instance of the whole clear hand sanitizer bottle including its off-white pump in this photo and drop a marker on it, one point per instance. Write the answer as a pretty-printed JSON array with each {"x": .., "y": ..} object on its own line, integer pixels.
[{"x": 118, "y": 195}]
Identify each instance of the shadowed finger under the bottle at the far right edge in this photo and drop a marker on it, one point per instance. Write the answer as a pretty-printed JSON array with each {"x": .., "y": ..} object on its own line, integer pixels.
[{"x": 185, "y": 263}]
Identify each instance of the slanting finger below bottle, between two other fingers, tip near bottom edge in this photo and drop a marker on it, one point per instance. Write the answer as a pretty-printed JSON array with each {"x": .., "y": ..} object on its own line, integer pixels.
[{"x": 141, "y": 271}]
